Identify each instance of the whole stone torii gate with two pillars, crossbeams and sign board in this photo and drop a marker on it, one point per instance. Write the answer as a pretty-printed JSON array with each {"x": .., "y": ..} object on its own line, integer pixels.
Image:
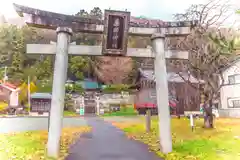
[{"x": 116, "y": 27}]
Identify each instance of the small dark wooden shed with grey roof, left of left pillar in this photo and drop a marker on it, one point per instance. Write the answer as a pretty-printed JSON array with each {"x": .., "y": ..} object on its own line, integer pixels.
[{"x": 40, "y": 104}]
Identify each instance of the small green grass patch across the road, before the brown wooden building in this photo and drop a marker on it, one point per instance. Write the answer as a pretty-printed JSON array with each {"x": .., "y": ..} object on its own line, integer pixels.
[{"x": 129, "y": 111}]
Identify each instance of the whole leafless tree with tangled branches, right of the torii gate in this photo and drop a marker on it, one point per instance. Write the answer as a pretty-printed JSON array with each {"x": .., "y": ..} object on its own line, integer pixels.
[{"x": 211, "y": 49}]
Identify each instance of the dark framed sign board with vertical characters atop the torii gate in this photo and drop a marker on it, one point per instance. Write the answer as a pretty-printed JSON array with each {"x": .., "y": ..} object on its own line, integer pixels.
[{"x": 115, "y": 35}]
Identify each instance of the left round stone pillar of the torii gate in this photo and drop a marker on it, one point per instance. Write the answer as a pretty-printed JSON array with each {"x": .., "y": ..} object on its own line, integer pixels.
[{"x": 58, "y": 91}]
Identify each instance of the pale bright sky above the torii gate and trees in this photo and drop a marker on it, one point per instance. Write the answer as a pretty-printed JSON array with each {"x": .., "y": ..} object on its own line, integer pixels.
[{"x": 161, "y": 9}]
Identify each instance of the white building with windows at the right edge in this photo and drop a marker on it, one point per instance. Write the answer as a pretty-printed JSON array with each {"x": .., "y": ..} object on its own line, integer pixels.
[{"x": 230, "y": 91}]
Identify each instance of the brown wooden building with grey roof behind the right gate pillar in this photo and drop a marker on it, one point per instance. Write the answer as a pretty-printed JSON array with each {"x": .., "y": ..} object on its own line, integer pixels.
[{"x": 186, "y": 98}]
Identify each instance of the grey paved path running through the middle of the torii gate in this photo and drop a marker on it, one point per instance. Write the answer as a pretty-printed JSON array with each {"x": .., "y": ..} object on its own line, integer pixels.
[{"x": 106, "y": 142}]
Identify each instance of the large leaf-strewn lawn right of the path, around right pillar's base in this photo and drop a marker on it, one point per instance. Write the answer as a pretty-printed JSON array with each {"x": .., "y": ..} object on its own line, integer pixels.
[{"x": 221, "y": 143}]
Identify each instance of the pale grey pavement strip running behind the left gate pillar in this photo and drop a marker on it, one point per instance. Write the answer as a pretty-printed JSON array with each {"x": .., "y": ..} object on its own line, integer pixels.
[{"x": 21, "y": 124}]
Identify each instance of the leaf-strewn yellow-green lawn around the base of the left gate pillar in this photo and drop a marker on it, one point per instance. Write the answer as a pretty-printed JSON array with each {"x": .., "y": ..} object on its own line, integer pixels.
[{"x": 31, "y": 145}]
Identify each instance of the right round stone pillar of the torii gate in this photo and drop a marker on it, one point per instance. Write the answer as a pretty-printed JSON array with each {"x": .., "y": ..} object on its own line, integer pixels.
[{"x": 162, "y": 93}]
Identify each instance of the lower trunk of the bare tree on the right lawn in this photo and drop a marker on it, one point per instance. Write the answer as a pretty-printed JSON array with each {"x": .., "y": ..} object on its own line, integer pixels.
[{"x": 208, "y": 116}]
